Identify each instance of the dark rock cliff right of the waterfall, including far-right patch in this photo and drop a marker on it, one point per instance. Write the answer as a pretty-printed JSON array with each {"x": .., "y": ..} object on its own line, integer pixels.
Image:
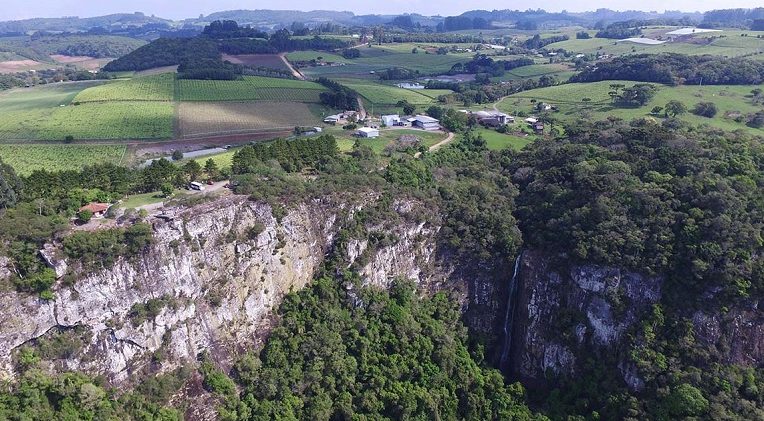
[{"x": 566, "y": 313}]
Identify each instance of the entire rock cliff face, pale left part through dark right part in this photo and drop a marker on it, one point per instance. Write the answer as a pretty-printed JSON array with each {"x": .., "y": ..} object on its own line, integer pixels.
[{"x": 214, "y": 275}]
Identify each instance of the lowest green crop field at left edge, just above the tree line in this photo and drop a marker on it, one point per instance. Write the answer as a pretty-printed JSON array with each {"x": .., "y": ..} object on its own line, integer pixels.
[{"x": 27, "y": 158}]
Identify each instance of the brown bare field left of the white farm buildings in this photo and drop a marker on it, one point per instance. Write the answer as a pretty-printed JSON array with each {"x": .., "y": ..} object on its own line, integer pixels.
[{"x": 205, "y": 118}]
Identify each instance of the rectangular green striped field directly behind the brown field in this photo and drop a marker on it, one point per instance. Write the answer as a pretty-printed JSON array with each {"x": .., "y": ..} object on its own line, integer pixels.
[{"x": 251, "y": 88}]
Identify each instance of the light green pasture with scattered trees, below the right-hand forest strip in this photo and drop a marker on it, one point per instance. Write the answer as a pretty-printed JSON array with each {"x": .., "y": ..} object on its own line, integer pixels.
[{"x": 568, "y": 98}]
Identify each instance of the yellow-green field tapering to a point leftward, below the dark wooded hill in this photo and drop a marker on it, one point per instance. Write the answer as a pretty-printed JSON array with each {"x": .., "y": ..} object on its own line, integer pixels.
[{"x": 148, "y": 88}]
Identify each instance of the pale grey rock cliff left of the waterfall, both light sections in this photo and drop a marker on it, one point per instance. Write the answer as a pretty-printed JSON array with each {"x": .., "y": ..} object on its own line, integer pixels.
[{"x": 216, "y": 273}]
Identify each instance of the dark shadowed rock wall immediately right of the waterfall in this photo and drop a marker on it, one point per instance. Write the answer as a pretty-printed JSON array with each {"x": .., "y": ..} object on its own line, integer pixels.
[{"x": 566, "y": 312}]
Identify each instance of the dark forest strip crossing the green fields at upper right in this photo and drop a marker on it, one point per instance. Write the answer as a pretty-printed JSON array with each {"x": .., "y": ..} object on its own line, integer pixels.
[{"x": 672, "y": 69}]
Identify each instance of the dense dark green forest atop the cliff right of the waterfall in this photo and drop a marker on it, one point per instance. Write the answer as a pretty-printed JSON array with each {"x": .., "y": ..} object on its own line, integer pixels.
[{"x": 662, "y": 203}]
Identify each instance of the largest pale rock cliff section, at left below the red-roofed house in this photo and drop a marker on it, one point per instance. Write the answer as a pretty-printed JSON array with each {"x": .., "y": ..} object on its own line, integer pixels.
[{"x": 215, "y": 278}]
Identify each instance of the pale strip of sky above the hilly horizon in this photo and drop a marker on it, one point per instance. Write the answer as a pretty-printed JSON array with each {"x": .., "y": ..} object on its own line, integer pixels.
[{"x": 177, "y": 9}]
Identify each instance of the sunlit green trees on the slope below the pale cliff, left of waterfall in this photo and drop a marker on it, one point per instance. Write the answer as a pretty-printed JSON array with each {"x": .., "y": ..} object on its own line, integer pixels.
[{"x": 396, "y": 356}]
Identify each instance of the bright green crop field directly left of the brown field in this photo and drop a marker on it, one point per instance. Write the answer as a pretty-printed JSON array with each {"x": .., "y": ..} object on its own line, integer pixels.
[{"x": 113, "y": 120}]
